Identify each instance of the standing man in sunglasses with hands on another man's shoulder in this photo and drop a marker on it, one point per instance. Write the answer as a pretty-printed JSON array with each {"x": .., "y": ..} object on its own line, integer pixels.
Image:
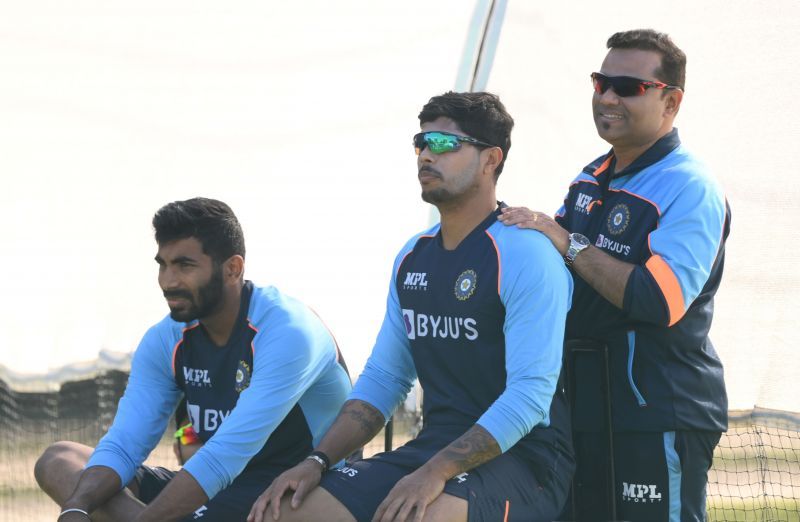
[{"x": 643, "y": 229}]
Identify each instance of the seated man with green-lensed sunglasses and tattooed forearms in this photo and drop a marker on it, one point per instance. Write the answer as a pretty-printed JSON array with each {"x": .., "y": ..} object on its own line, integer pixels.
[{"x": 476, "y": 311}]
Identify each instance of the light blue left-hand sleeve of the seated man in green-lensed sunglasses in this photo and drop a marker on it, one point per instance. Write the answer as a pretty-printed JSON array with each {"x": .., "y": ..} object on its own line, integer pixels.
[{"x": 389, "y": 373}]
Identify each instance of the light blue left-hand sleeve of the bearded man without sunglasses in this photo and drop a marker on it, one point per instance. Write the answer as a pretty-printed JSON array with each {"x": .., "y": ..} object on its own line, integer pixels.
[{"x": 149, "y": 400}]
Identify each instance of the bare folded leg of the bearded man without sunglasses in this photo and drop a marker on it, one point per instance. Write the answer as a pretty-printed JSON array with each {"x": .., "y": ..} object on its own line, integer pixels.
[{"x": 58, "y": 469}]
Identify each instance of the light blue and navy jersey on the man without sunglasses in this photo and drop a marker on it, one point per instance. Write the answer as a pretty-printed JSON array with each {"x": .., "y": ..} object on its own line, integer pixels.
[{"x": 264, "y": 399}]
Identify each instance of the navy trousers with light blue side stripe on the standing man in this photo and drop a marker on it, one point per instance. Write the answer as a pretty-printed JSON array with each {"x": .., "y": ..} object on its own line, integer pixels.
[{"x": 658, "y": 476}]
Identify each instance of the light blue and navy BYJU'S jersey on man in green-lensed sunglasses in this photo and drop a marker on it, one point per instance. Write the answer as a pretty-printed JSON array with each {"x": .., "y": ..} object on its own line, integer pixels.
[{"x": 482, "y": 327}]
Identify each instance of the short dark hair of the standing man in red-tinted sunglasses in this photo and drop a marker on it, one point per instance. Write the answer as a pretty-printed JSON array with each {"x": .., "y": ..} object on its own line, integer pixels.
[{"x": 673, "y": 60}]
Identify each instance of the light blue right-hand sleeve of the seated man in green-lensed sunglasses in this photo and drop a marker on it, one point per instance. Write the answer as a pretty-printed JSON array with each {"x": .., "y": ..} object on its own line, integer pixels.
[{"x": 536, "y": 289}]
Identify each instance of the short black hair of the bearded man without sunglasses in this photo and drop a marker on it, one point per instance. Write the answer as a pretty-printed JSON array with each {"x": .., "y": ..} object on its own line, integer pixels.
[{"x": 210, "y": 221}]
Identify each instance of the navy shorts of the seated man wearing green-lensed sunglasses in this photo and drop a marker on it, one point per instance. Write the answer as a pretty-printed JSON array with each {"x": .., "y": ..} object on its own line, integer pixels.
[{"x": 506, "y": 486}]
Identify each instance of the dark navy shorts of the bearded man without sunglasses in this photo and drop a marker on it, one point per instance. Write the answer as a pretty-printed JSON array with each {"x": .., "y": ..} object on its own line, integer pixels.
[{"x": 232, "y": 504}]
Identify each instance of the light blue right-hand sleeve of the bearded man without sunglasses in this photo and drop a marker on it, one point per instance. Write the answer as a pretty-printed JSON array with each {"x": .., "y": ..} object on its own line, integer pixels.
[{"x": 289, "y": 356}]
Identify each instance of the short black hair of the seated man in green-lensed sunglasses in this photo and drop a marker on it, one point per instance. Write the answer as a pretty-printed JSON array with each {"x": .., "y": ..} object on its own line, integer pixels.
[{"x": 479, "y": 114}]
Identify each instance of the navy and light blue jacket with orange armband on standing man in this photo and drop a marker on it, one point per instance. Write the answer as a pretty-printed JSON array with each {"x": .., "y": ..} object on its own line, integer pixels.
[{"x": 666, "y": 215}]
